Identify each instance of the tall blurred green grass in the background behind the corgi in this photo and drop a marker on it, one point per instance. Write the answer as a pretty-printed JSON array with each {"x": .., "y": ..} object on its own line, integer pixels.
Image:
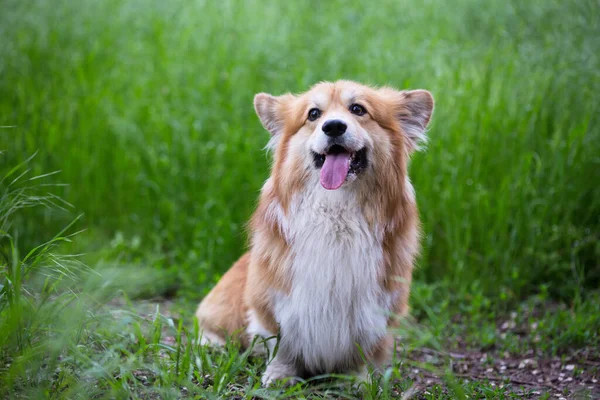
[{"x": 146, "y": 109}]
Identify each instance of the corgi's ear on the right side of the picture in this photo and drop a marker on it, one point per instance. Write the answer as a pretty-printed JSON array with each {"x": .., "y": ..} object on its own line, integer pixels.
[{"x": 414, "y": 111}]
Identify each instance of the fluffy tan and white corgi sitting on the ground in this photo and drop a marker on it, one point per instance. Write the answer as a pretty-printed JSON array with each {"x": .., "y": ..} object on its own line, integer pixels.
[{"x": 335, "y": 233}]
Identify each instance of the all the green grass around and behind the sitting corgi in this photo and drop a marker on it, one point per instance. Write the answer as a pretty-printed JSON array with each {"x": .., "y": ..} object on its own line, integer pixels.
[{"x": 145, "y": 108}]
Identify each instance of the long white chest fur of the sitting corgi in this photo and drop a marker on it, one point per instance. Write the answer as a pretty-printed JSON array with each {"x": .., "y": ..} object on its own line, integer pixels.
[{"x": 336, "y": 301}]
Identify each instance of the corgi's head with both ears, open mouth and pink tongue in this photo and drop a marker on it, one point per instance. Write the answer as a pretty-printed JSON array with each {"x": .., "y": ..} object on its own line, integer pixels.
[{"x": 344, "y": 132}]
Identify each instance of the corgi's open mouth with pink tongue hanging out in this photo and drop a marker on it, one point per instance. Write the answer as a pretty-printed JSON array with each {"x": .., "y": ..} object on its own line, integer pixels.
[{"x": 337, "y": 163}]
